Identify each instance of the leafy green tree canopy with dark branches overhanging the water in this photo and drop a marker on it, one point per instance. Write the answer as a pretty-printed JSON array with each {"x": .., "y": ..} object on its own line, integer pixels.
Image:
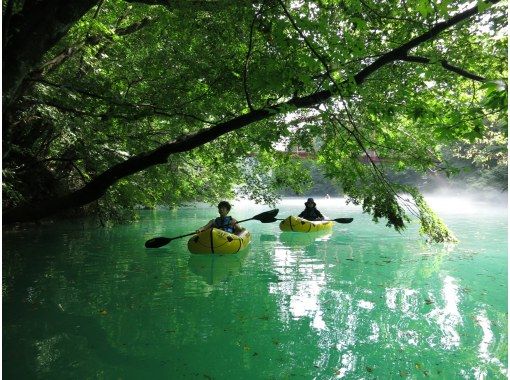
[{"x": 112, "y": 104}]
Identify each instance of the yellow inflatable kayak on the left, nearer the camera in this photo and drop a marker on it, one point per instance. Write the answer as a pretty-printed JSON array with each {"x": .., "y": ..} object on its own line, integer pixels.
[{"x": 216, "y": 241}]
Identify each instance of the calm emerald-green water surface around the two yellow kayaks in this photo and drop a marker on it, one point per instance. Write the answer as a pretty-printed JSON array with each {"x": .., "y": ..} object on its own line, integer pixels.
[{"x": 364, "y": 302}]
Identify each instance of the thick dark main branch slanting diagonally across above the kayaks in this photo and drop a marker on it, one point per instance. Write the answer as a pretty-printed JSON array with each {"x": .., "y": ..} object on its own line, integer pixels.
[{"x": 99, "y": 185}]
